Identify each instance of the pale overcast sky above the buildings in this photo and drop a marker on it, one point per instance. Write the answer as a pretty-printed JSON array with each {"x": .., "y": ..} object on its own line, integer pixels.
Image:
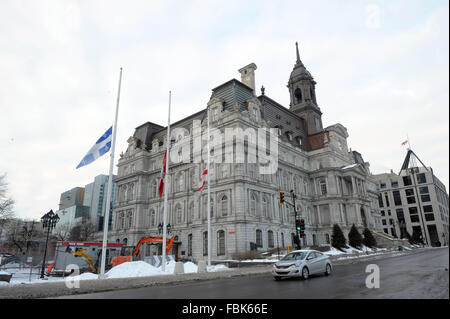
[{"x": 381, "y": 69}]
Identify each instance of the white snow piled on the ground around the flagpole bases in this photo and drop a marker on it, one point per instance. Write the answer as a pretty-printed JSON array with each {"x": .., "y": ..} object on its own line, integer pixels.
[{"x": 125, "y": 270}]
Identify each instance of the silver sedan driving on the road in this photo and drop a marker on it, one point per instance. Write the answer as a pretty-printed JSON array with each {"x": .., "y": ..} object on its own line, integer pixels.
[{"x": 302, "y": 263}]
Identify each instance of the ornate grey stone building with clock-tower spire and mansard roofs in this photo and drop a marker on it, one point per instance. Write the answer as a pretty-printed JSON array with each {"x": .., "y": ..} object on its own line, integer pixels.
[{"x": 333, "y": 184}]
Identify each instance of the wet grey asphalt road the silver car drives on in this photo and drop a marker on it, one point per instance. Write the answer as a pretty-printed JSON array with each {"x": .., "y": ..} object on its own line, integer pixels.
[{"x": 420, "y": 275}]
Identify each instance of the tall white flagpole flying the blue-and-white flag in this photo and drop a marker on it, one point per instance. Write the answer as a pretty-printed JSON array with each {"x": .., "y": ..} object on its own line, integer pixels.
[{"x": 108, "y": 198}]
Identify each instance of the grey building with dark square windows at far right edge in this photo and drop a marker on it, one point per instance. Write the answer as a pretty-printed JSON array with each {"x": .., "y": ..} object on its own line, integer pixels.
[{"x": 414, "y": 200}]
